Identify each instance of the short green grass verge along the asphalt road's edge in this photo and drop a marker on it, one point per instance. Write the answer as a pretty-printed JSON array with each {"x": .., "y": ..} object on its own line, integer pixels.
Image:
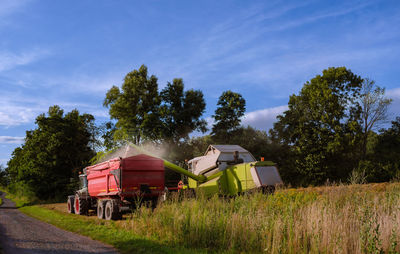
[{"x": 104, "y": 231}]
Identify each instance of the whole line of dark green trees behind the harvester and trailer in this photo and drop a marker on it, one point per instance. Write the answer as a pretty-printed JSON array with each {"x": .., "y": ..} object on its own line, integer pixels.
[{"x": 329, "y": 132}]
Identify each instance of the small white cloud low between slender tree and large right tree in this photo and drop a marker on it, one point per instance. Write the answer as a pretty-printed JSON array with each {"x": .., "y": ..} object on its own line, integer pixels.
[{"x": 263, "y": 119}]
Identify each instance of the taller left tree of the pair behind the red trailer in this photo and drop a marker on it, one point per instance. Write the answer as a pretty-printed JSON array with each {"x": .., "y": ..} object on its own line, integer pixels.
[{"x": 135, "y": 107}]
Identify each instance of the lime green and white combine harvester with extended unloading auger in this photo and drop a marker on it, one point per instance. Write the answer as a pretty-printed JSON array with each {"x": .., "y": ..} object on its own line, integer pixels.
[{"x": 228, "y": 170}]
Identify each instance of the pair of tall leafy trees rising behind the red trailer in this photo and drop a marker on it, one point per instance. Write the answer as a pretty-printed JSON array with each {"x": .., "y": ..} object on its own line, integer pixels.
[{"x": 143, "y": 114}]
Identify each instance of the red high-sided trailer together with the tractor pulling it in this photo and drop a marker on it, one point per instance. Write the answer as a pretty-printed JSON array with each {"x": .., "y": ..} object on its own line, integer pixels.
[{"x": 119, "y": 184}]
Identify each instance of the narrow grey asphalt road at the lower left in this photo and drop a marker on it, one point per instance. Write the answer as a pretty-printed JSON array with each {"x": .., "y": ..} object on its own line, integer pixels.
[{"x": 20, "y": 233}]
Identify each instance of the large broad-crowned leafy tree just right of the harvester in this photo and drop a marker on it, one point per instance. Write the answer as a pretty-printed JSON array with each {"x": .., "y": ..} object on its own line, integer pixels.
[{"x": 322, "y": 126}]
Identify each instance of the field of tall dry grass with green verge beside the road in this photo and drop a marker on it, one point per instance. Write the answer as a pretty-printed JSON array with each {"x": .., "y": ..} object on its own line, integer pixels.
[{"x": 329, "y": 219}]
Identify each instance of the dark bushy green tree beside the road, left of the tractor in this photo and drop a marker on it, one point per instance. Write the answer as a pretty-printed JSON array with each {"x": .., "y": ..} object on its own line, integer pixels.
[{"x": 53, "y": 153}]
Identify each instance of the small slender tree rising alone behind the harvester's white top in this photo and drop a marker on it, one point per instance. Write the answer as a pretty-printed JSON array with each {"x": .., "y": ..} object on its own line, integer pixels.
[{"x": 231, "y": 107}]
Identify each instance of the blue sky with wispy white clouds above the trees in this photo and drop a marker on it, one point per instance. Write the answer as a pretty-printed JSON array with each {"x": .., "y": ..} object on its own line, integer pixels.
[{"x": 69, "y": 53}]
